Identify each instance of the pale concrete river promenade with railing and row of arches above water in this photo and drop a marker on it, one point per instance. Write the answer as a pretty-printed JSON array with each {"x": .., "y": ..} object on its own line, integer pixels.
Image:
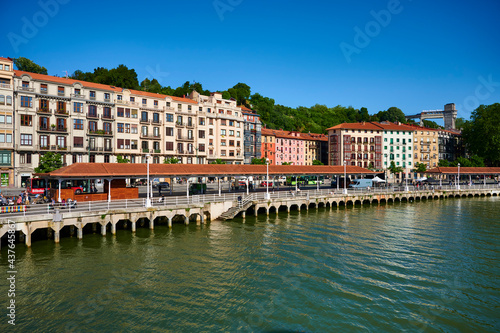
[{"x": 105, "y": 215}]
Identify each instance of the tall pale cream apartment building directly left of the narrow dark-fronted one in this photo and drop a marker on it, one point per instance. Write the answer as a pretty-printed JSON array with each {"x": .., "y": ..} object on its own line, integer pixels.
[{"x": 225, "y": 124}]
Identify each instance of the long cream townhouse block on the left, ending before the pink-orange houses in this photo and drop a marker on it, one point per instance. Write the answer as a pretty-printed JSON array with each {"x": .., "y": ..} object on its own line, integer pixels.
[{"x": 90, "y": 122}]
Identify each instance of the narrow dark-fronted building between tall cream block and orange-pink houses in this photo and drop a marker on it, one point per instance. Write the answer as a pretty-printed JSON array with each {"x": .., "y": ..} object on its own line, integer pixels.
[{"x": 252, "y": 135}]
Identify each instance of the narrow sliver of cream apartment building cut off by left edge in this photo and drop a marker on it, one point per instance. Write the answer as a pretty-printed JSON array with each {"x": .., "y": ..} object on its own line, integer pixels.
[{"x": 7, "y": 170}]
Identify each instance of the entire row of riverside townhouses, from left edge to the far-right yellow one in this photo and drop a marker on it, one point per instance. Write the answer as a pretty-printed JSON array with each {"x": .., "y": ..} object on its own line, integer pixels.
[{"x": 96, "y": 123}]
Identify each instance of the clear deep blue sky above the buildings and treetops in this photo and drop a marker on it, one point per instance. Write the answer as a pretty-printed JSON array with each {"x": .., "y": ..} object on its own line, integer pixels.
[{"x": 420, "y": 55}]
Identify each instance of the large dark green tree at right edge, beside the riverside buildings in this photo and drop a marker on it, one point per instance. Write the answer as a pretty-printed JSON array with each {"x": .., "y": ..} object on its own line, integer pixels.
[{"x": 482, "y": 133}]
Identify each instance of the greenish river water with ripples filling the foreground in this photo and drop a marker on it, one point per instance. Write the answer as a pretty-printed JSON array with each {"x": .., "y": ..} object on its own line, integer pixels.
[{"x": 426, "y": 266}]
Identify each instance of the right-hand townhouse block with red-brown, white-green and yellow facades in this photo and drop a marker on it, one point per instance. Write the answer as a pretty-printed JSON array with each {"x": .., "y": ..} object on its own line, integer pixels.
[{"x": 375, "y": 145}]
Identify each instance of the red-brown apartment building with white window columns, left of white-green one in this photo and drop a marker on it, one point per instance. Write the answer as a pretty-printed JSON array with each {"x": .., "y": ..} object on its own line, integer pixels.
[{"x": 358, "y": 144}]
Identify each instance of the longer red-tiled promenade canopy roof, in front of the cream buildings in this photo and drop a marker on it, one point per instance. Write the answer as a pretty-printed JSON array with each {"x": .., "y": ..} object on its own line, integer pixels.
[{"x": 129, "y": 170}]
